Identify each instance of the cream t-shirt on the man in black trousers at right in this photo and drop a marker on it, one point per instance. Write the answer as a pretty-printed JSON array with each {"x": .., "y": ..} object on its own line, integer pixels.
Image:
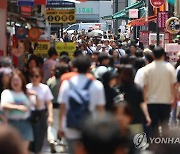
[{"x": 159, "y": 77}]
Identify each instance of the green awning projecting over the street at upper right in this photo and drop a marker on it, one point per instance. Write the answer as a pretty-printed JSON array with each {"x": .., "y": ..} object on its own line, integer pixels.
[{"x": 124, "y": 13}]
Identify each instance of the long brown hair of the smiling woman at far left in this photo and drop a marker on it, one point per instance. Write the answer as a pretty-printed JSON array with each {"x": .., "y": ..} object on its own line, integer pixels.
[{"x": 19, "y": 73}]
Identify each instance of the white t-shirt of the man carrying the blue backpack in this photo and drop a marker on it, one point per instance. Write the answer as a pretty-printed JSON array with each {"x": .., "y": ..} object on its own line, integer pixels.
[{"x": 97, "y": 97}]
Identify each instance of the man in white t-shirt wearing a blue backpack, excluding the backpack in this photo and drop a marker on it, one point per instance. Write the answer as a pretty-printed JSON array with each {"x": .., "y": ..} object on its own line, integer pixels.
[{"x": 96, "y": 101}]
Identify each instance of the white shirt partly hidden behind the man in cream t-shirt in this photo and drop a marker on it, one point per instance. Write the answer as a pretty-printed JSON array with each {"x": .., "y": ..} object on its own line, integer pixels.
[{"x": 139, "y": 78}]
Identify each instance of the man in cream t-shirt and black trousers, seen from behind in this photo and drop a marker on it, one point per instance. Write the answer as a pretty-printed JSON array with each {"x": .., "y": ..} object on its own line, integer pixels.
[{"x": 159, "y": 92}]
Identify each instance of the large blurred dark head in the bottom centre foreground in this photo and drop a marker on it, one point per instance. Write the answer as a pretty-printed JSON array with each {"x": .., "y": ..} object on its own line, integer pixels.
[{"x": 101, "y": 134}]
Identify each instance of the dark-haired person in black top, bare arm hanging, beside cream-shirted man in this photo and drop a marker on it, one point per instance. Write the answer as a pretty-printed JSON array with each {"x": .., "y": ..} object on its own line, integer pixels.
[{"x": 133, "y": 95}]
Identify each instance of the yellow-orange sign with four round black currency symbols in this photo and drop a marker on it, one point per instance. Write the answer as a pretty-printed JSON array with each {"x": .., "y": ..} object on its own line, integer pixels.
[{"x": 61, "y": 16}]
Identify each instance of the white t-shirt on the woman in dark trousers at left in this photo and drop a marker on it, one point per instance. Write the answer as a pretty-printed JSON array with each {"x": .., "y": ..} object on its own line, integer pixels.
[{"x": 43, "y": 92}]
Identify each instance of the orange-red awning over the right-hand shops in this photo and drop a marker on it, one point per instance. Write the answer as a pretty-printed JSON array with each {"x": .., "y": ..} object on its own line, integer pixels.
[{"x": 142, "y": 21}]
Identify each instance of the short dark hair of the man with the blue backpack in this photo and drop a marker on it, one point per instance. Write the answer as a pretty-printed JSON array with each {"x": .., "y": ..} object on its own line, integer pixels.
[{"x": 82, "y": 63}]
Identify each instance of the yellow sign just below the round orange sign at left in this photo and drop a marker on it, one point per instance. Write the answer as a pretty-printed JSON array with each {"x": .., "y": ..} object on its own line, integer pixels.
[{"x": 42, "y": 49}]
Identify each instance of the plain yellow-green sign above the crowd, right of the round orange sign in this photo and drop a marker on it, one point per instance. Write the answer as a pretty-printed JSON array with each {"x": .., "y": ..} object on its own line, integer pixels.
[{"x": 69, "y": 47}]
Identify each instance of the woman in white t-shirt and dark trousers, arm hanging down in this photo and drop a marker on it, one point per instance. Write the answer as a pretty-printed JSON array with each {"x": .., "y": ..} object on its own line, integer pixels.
[{"x": 45, "y": 98}]
